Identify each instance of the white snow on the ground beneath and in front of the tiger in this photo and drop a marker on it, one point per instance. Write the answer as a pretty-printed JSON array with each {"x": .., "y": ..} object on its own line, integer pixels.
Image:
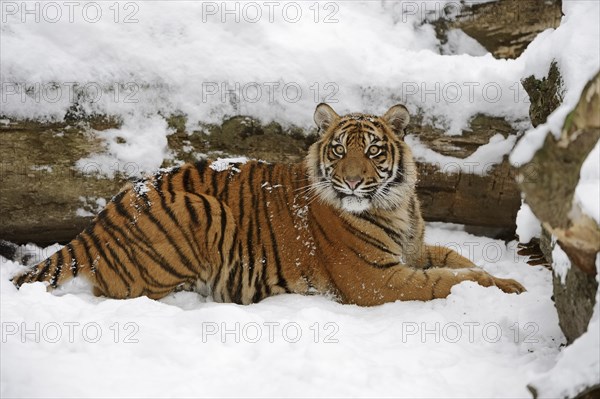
[{"x": 467, "y": 345}]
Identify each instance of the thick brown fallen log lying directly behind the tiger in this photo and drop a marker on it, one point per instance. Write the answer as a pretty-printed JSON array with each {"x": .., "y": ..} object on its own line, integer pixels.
[{"x": 45, "y": 199}]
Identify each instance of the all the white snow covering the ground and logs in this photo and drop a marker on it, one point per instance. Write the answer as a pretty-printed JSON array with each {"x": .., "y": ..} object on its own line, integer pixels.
[{"x": 144, "y": 60}]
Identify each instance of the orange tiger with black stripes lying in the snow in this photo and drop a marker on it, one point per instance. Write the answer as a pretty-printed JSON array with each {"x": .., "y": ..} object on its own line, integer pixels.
[{"x": 344, "y": 222}]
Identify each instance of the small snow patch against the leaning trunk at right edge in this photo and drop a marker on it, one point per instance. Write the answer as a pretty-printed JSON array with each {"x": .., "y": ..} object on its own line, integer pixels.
[{"x": 587, "y": 192}]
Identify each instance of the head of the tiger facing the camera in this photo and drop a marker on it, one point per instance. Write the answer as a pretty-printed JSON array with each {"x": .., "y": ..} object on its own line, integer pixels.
[{"x": 361, "y": 161}]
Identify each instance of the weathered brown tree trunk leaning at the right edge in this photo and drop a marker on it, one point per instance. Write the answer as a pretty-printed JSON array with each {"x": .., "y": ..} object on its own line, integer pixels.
[{"x": 549, "y": 191}]
